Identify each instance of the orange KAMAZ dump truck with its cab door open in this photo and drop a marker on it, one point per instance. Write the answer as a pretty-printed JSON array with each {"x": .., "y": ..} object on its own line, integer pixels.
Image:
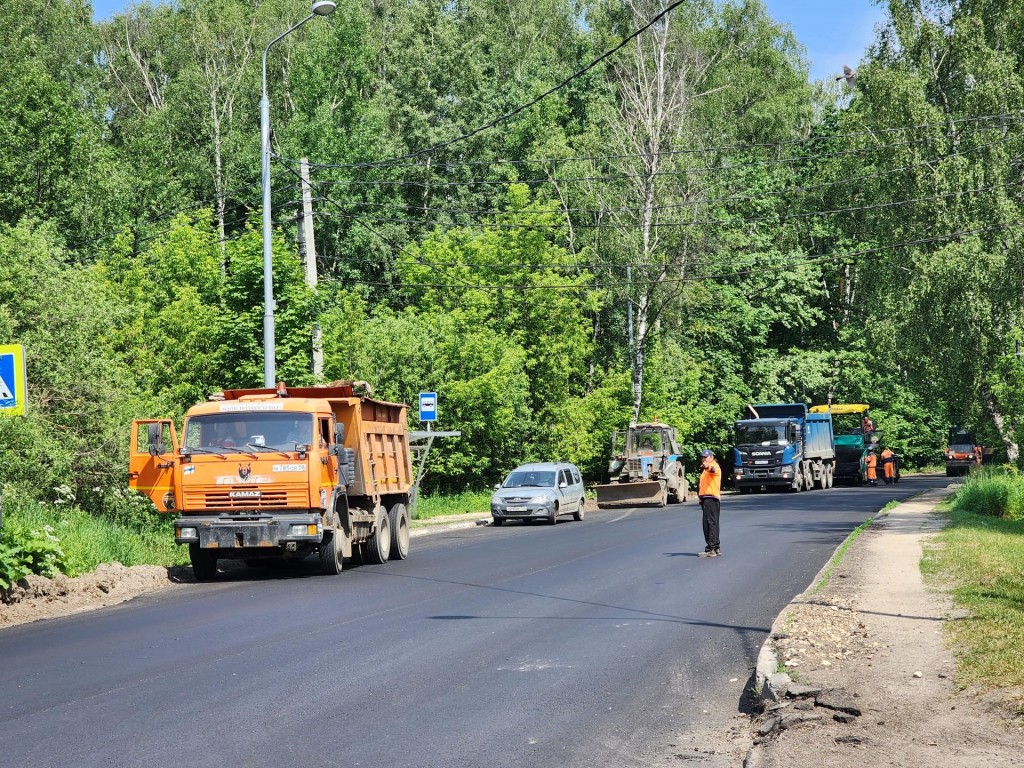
[{"x": 281, "y": 474}]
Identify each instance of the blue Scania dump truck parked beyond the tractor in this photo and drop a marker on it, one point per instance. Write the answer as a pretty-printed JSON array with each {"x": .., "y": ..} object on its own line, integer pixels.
[{"x": 784, "y": 446}]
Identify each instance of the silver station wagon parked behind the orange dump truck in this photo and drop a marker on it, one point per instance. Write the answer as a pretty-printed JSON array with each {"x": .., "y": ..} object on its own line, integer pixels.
[{"x": 539, "y": 492}]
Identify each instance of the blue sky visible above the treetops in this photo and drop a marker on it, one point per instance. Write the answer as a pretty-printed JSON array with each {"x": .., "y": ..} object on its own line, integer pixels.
[{"x": 834, "y": 33}]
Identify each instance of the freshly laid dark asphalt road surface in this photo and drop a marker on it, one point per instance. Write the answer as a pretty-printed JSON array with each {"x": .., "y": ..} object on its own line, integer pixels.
[{"x": 593, "y": 644}]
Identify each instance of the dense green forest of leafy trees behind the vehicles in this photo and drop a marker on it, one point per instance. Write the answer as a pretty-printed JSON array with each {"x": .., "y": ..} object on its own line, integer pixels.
[{"x": 685, "y": 228}]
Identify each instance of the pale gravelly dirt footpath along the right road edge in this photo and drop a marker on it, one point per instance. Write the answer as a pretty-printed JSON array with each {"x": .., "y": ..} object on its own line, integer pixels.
[{"x": 872, "y": 642}]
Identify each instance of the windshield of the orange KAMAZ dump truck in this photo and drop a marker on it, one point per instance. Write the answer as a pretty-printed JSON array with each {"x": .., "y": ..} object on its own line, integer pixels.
[{"x": 275, "y": 431}]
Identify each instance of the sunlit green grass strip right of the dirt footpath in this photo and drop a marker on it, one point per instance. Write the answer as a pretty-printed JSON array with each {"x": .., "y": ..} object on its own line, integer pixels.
[{"x": 980, "y": 559}]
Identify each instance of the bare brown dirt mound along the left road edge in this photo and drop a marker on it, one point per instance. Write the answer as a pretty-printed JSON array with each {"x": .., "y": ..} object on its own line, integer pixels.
[{"x": 38, "y": 598}]
